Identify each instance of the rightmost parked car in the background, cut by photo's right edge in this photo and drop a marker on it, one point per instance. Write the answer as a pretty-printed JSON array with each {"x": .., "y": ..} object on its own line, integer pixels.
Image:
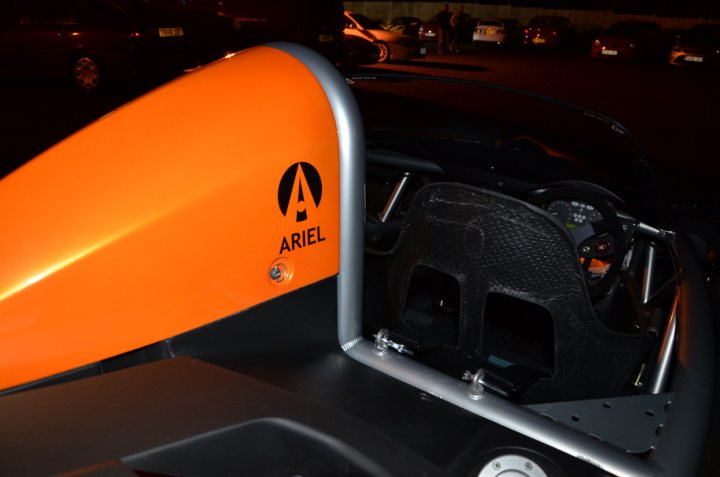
[{"x": 698, "y": 46}]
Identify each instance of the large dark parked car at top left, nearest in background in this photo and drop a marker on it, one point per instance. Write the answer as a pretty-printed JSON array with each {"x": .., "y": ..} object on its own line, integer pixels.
[{"x": 104, "y": 41}]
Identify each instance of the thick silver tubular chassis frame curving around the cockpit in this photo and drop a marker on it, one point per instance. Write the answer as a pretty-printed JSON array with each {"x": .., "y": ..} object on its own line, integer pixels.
[{"x": 680, "y": 445}]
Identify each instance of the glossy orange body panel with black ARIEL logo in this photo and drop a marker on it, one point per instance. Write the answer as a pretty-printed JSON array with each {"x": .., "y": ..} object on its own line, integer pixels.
[{"x": 164, "y": 215}]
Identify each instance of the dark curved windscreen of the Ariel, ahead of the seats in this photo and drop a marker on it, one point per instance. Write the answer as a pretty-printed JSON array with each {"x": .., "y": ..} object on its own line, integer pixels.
[{"x": 504, "y": 127}]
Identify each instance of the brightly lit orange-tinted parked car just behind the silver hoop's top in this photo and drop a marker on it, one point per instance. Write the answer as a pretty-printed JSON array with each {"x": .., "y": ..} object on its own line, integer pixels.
[{"x": 393, "y": 46}]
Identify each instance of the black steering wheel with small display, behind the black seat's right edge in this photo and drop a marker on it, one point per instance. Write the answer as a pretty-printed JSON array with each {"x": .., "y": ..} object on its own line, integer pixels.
[{"x": 595, "y": 228}]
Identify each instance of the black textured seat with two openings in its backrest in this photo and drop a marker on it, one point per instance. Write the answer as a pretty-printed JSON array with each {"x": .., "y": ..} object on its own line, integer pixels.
[{"x": 494, "y": 245}]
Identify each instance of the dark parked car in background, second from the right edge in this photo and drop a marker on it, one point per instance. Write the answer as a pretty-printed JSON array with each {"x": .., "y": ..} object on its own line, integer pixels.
[{"x": 628, "y": 40}]
